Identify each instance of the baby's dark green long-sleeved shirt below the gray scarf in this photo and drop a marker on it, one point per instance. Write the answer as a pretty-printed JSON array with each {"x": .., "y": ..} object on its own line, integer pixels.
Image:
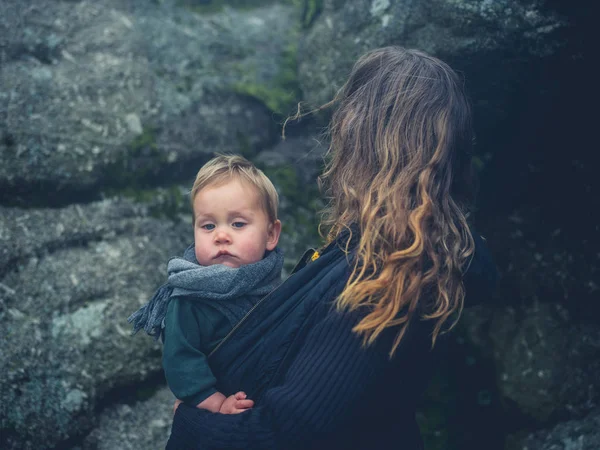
[{"x": 192, "y": 330}]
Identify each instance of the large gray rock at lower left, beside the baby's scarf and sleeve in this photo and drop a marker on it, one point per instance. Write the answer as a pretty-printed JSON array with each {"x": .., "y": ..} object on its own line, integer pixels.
[{"x": 64, "y": 304}]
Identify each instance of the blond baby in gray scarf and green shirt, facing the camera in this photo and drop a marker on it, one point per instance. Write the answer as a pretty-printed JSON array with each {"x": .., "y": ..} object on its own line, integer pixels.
[{"x": 233, "y": 263}]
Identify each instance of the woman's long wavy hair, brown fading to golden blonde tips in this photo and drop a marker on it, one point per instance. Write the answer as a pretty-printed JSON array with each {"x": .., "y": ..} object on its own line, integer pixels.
[{"x": 399, "y": 167}]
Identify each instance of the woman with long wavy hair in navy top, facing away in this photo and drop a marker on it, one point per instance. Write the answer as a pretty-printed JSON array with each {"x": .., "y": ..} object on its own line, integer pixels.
[{"x": 400, "y": 259}]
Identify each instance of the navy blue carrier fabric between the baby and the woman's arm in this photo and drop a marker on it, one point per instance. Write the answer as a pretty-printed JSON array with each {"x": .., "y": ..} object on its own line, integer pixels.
[{"x": 258, "y": 350}]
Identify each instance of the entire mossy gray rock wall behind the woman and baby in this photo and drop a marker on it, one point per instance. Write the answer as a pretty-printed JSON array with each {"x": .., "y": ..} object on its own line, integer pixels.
[{"x": 108, "y": 108}]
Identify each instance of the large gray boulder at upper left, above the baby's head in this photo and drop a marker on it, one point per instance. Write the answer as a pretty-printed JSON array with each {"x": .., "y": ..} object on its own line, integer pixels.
[{"x": 97, "y": 93}]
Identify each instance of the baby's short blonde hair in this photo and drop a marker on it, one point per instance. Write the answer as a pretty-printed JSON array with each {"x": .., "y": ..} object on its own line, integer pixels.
[{"x": 223, "y": 168}]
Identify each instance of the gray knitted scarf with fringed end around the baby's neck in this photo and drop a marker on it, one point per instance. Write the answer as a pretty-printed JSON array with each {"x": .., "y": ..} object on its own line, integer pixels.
[{"x": 187, "y": 278}]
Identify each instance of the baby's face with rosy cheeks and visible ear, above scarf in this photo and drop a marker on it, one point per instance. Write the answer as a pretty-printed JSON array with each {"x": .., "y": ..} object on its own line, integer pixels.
[{"x": 231, "y": 226}]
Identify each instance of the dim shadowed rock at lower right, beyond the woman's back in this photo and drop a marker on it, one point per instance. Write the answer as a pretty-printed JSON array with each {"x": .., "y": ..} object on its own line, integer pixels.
[{"x": 546, "y": 364}]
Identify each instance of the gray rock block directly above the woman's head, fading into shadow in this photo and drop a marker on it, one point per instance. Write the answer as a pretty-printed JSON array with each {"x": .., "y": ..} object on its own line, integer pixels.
[{"x": 505, "y": 34}]
